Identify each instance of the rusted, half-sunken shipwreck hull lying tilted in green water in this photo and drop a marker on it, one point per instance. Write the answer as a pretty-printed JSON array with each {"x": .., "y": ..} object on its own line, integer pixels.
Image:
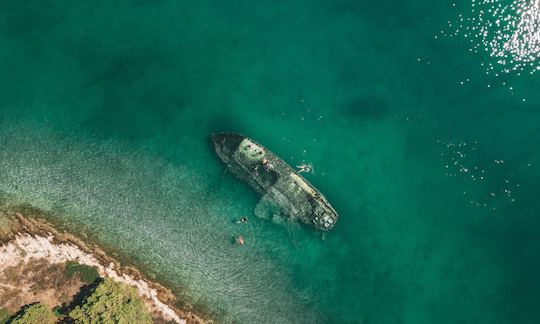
[{"x": 275, "y": 180}]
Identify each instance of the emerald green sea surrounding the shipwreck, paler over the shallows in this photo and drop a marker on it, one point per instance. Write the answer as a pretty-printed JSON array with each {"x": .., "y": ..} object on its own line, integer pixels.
[{"x": 432, "y": 163}]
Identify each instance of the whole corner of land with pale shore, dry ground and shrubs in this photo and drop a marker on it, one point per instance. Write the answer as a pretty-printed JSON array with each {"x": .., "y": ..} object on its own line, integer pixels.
[{"x": 69, "y": 289}]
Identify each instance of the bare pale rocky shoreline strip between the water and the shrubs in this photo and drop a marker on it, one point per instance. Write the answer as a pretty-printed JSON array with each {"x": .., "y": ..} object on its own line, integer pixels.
[{"x": 24, "y": 239}]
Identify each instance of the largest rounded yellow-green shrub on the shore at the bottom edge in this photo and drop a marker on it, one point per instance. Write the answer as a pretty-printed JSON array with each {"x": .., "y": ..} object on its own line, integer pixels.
[{"x": 111, "y": 302}]
